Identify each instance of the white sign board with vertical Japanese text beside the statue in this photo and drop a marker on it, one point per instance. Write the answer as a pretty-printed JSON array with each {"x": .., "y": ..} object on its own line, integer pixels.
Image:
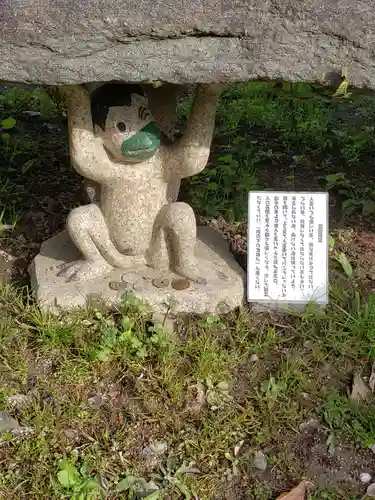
[{"x": 287, "y": 248}]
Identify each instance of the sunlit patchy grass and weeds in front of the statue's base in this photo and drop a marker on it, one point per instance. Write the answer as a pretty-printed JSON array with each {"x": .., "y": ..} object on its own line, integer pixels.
[{"x": 145, "y": 381}]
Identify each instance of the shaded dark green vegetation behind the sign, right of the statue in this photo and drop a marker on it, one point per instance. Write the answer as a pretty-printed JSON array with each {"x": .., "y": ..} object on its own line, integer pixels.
[{"x": 297, "y": 129}]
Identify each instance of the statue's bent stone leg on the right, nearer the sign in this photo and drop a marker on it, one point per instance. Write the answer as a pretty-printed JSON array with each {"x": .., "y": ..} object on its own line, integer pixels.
[{"x": 177, "y": 223}]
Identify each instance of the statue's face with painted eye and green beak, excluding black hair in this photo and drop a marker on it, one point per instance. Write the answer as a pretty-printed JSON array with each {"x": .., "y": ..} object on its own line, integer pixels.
[{"x": 131, "y": 134}]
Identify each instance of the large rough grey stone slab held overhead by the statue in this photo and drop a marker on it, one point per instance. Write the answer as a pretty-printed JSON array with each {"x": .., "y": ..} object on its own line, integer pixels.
[{"x": 183, "y": 41}]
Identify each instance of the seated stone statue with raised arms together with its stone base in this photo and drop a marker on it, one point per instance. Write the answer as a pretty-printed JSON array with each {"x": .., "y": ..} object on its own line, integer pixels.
[{"x": 136, "y": 235}]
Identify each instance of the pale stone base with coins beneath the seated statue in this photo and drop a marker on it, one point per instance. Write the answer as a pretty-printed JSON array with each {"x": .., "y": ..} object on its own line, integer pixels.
[{"x": 225, "y": 289}]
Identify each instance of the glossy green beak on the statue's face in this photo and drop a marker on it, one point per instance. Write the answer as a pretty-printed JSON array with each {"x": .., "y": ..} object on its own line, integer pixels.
[{"x": 143, "y": 144}]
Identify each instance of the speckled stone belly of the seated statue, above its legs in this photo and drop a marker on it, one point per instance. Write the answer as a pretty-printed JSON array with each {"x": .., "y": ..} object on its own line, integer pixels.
[{"x": 130, "y": 216}]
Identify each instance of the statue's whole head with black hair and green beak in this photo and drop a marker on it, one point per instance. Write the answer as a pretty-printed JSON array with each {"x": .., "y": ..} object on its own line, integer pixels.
[{"x": 121, "y": 117}]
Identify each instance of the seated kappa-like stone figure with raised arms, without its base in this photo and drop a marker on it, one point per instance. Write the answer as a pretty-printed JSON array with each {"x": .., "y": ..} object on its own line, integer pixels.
[{"x": 115, "y": 142}]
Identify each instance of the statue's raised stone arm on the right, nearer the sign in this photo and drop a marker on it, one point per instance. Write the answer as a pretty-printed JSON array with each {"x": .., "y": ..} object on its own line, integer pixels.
[{"x": 189, "y": 155}]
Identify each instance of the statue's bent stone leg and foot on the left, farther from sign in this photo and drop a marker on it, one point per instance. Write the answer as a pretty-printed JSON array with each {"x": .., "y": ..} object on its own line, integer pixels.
[{"x": 88, "y": 231}]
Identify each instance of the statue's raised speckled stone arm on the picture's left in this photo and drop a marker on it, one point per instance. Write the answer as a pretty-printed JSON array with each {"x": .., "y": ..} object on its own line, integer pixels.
[{"x": 88, "y": 155}]
